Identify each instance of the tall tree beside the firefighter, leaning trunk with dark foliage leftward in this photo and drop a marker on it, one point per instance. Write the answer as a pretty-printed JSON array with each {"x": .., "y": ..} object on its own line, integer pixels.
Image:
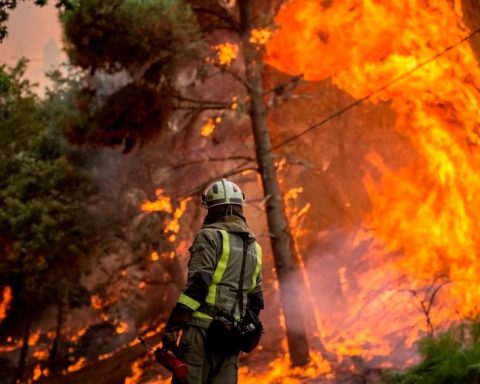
[{"x": 149, "y": 91}]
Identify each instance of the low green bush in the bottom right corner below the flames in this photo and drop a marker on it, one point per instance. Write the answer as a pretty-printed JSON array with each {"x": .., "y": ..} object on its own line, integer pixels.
[{"x": 451, "y": 357}]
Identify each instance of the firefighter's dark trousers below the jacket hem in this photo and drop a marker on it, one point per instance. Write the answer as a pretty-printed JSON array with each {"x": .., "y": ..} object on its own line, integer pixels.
[{"x": 203, "y": 369}]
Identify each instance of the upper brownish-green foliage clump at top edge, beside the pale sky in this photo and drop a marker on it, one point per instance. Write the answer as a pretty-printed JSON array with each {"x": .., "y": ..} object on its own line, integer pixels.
[{"x": 126, "y": 34}]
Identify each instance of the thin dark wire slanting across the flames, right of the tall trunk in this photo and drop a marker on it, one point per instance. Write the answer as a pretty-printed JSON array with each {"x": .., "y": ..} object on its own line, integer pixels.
[{"x": 372, "y": 93}]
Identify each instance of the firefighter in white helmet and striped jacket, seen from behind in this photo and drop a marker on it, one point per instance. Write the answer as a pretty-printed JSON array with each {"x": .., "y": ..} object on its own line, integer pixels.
[{"x": 213, "y": 282}]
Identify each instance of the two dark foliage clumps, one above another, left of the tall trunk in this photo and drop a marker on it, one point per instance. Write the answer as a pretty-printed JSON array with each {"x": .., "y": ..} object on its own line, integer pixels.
[{"x": 133, "y": 48}]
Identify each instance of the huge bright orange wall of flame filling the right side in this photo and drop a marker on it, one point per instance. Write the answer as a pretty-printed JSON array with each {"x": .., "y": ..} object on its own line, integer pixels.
[{"x": 424, "y": 218}]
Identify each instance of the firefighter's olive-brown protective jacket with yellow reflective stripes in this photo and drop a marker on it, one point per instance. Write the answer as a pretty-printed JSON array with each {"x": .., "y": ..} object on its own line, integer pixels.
[{"x": 214, "y": 271}]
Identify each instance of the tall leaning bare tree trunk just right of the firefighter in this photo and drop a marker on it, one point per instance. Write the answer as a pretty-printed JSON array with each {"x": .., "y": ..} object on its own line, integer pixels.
[{"x": 286, "y": 266}]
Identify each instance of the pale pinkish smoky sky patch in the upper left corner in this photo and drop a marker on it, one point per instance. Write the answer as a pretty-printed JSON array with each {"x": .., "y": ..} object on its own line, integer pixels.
[{"x": 34, "y": 33}]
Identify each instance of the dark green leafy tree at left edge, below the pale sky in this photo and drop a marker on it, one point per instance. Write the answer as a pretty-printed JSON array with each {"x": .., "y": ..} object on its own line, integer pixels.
[{"x": 43, "y": 194}]
